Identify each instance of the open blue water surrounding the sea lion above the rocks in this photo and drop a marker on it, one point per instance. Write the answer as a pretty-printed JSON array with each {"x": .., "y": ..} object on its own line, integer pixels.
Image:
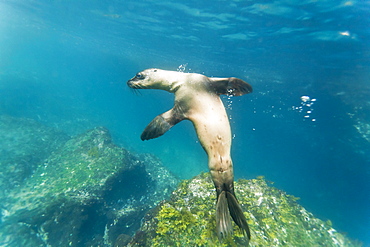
[{"x": 65, "y": 64}]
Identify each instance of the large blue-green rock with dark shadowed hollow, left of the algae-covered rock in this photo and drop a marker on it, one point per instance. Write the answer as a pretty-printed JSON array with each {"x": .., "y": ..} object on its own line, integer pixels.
[{"x": 89, "y": 192}]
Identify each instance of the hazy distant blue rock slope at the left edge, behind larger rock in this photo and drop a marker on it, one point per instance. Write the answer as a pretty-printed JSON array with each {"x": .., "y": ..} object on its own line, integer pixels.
[{"x": 24, "y": 144}]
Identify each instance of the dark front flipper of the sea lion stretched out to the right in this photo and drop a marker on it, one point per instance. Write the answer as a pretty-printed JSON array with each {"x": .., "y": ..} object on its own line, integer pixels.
[{"x": 231, "y": 86}]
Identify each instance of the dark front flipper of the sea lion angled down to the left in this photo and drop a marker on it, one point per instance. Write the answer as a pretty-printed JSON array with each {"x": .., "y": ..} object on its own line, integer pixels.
[{"x": 162, "y": 123}]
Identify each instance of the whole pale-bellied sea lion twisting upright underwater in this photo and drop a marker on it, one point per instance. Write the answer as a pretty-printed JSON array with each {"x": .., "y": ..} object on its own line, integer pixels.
[{"x": 197, "y": 98}]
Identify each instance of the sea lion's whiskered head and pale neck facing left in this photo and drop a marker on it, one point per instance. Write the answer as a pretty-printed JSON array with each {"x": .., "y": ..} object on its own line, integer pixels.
[{"x": 152, "y": 79}]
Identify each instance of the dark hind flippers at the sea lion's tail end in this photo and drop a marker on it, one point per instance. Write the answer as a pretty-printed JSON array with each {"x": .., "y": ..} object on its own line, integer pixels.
[{"x": 227, "y": 205}]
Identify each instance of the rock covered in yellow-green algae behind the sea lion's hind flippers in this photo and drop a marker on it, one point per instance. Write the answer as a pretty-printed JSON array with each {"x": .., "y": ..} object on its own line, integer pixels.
[{"x": 274, "y": 218}]
